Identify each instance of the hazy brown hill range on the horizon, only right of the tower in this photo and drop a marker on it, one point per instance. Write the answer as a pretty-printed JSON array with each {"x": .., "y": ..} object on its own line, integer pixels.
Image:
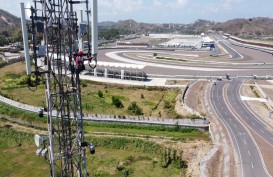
[{"x": 239, "y": 27}]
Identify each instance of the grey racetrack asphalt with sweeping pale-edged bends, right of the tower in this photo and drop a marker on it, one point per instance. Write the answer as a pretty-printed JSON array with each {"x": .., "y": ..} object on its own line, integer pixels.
[{"x": 247, "y": 62}]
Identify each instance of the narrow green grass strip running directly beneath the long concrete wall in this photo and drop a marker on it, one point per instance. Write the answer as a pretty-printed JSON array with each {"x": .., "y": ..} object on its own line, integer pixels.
[{"x": 32, "y": 120}]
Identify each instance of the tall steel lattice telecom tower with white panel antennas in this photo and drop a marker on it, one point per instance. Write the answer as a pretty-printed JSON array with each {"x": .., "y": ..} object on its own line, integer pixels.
[{"x": 57, "y": 35}]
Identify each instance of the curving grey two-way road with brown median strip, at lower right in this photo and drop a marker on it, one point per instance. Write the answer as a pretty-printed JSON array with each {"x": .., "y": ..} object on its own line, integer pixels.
[{"x": 226, "y": 102}]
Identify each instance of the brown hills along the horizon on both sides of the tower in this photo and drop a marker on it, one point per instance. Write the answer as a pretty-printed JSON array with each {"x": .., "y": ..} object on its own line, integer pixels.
[{"x": 10, "y": 30}]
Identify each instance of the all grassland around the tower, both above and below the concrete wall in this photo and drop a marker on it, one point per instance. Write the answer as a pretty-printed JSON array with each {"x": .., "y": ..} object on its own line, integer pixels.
[{"x": 115, "y": 156}]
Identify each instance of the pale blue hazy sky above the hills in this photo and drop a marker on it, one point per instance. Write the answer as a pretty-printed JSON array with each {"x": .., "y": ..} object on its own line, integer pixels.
[{"x": 170, "y": 11}]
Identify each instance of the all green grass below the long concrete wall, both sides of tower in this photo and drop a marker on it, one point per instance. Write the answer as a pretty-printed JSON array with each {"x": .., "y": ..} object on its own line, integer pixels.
[{"x": 115, "y": 156}]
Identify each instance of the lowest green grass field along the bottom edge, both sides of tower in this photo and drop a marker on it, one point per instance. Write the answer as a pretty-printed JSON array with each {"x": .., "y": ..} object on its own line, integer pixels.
[{"x": 114, "y": 156}]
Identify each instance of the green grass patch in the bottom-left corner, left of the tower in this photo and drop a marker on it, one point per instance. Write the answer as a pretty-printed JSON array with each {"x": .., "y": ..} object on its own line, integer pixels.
[{"x": 18, "y": 158}]
